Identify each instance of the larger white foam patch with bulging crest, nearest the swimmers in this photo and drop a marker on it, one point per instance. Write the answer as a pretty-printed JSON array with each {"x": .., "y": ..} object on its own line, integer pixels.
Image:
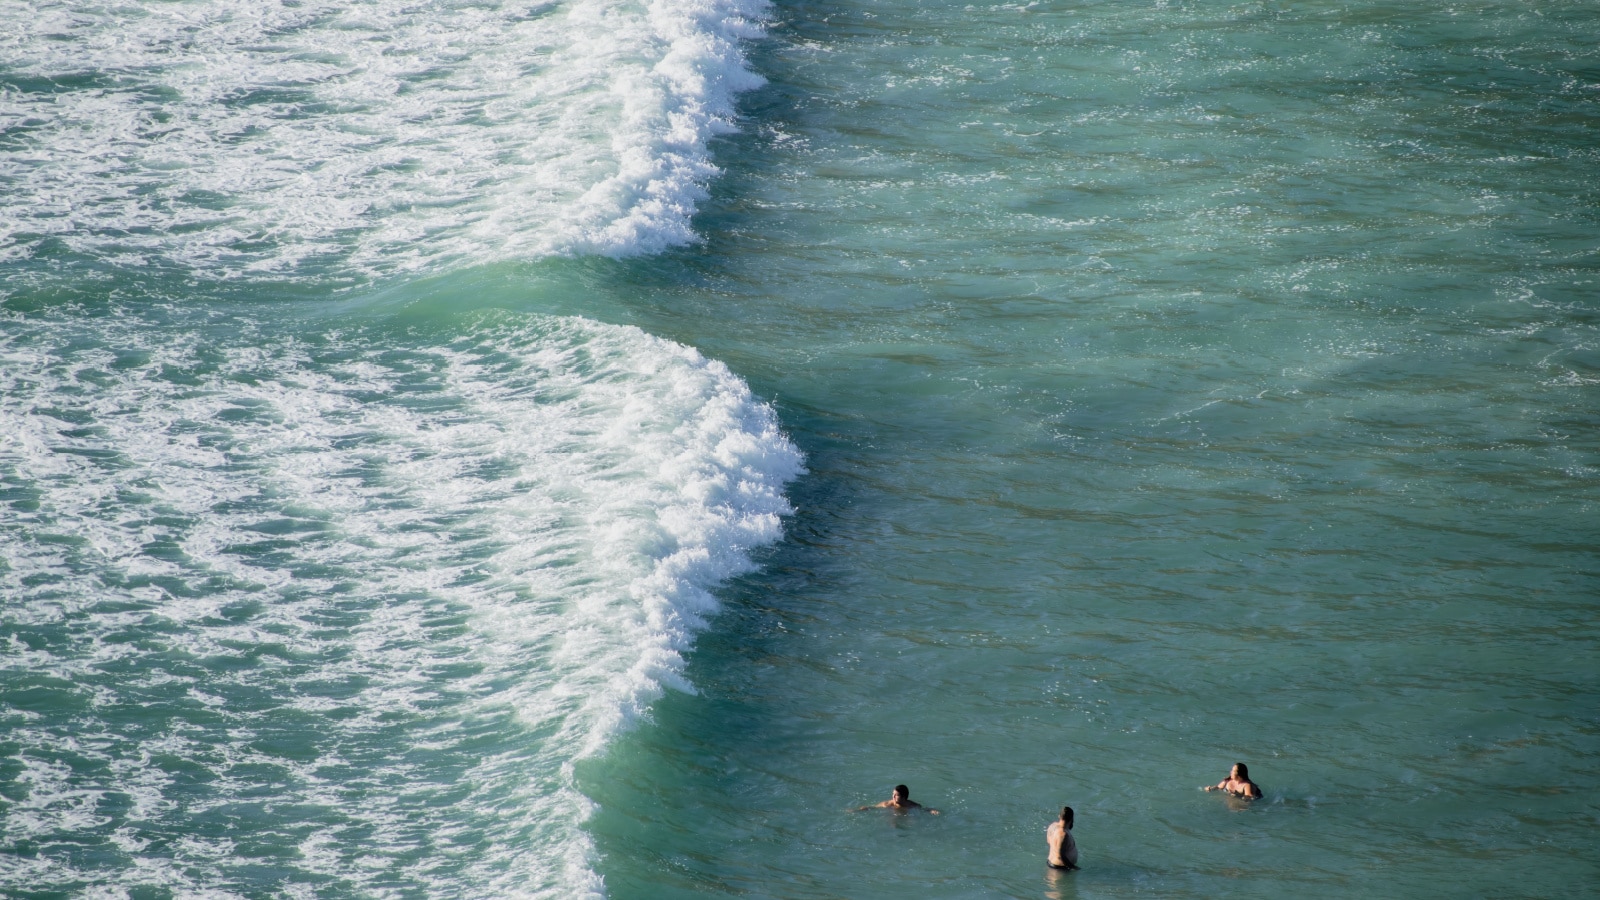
[{"x": 340, "y": 613}]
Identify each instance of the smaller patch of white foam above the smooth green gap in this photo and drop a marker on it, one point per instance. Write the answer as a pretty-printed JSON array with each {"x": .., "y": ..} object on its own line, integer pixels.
[{"x": 271, "y": 139}]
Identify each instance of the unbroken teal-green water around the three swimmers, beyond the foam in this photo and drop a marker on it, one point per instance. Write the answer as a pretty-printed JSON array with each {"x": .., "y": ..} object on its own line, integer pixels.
[{"x": 1183, "y": 384}]
